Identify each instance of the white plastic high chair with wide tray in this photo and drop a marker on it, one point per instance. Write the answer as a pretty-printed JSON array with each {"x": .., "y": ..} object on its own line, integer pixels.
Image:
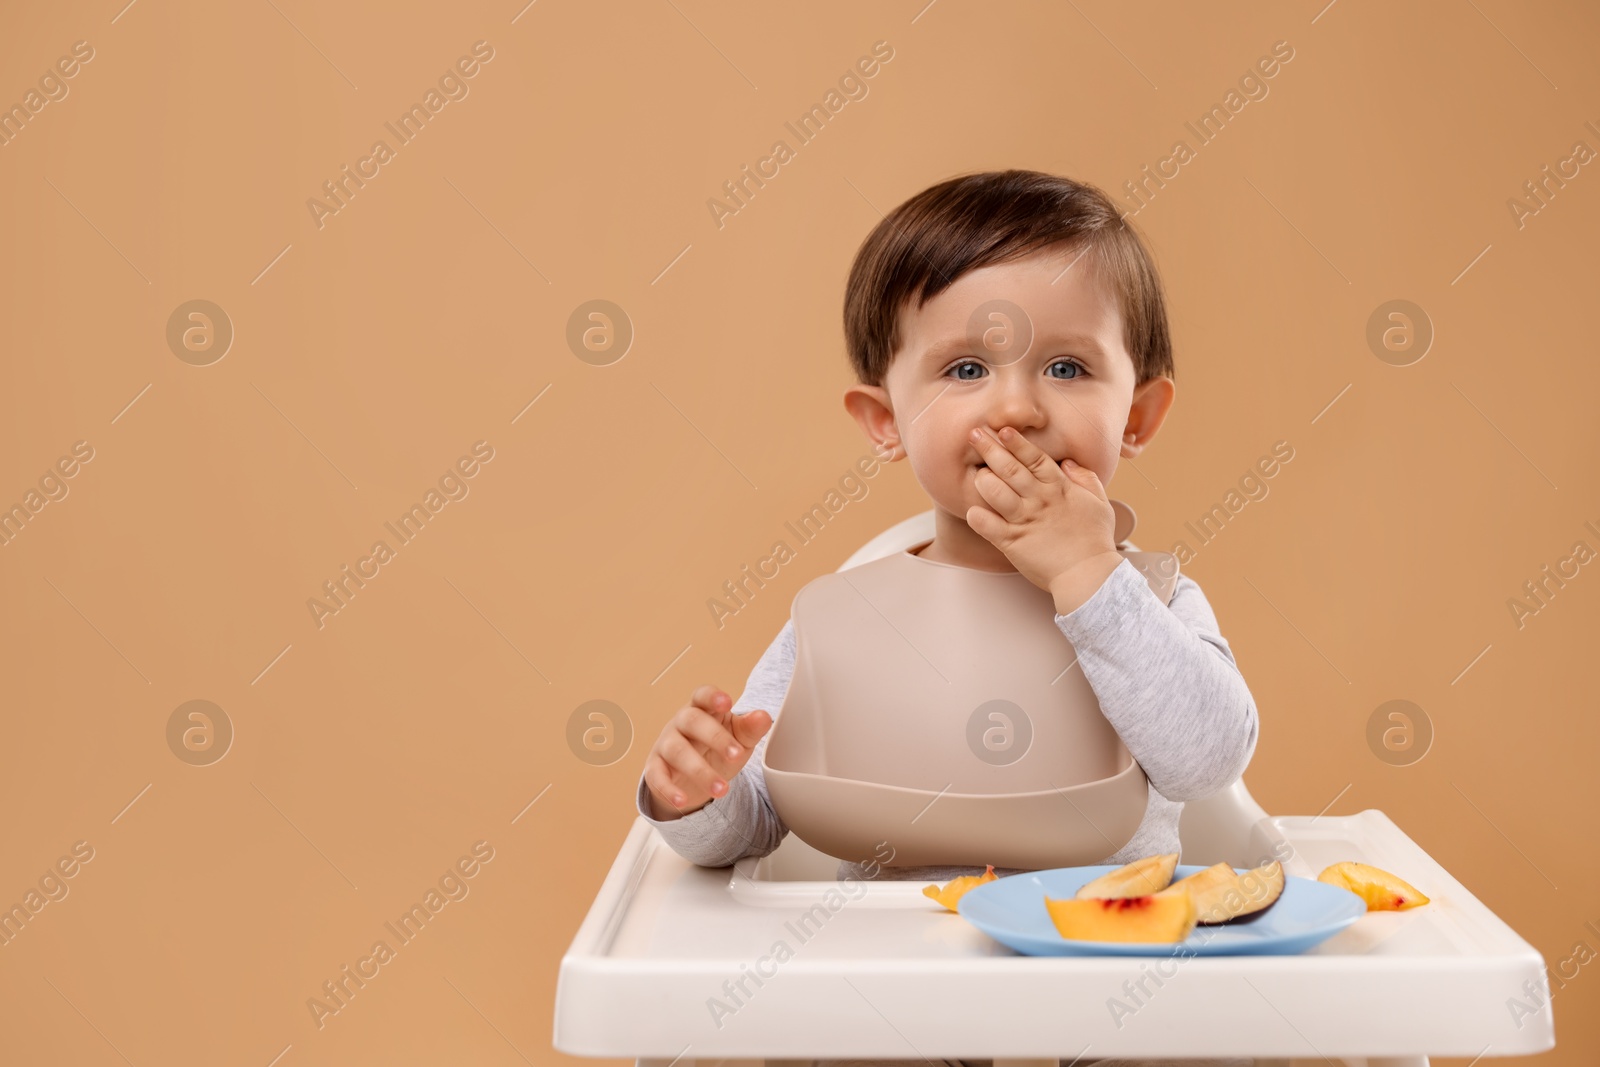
[{"x": 678, "y": 964}]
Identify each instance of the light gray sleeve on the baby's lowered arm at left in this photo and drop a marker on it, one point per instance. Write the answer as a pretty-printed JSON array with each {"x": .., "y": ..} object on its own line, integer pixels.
[{"x": 742, "y": 823}]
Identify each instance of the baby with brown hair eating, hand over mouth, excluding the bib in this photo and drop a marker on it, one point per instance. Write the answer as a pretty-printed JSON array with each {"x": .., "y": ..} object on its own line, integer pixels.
[{"x": 1014, "y": 439}]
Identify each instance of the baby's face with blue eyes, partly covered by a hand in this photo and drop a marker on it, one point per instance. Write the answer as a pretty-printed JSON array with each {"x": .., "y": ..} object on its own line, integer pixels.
[{"x": 1070, "y": 393}]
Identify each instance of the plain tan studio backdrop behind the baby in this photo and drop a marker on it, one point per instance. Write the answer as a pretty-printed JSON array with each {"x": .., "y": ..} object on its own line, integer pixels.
[{"x": 428, "y": 314}]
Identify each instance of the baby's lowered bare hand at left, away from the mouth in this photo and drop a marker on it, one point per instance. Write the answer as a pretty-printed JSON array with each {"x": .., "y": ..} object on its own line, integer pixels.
[{"x": 698, "y": 751}]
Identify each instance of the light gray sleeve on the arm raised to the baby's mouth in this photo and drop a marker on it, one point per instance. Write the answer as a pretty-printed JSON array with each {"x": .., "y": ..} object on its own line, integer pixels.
[{"x": 1167, "y": 681}]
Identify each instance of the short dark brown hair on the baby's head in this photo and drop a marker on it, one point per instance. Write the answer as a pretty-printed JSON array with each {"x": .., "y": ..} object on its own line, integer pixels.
[{"x": 972, "y": 222}]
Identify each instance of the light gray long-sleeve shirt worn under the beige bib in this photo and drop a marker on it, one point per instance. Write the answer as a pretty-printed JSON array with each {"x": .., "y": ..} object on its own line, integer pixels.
[{"x": 1164, "y": 676}]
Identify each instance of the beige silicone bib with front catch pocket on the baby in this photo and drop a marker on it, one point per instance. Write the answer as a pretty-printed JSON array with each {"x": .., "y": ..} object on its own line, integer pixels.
[{"x": 940, "y": 709}]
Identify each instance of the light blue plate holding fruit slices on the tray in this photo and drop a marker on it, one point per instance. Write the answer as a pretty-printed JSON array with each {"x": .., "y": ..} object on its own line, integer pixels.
[{"x": 1012, "y": 911}]
